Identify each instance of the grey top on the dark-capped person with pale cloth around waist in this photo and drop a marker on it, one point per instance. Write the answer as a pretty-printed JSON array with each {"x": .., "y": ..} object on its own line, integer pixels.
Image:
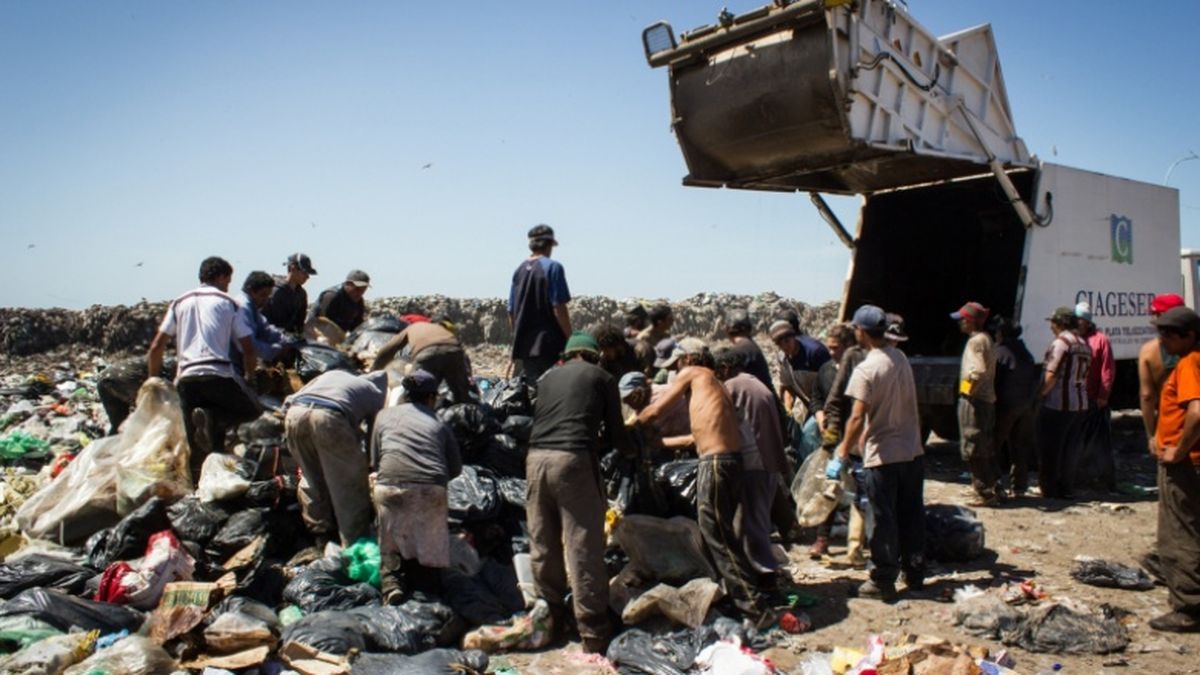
[{"x": 411, "y": 445}]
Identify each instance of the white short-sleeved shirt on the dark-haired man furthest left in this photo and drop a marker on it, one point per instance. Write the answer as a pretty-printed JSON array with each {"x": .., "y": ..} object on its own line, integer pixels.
[{"x": 205, "y": 324}]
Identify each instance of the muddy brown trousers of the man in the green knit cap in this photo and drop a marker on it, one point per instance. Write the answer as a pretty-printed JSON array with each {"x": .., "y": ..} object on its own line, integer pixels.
[{"x": 566, "y": 510}]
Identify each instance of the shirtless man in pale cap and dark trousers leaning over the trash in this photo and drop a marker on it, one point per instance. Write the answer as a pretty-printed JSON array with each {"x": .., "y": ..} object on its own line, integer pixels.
[{"x": 718, "y": 438}]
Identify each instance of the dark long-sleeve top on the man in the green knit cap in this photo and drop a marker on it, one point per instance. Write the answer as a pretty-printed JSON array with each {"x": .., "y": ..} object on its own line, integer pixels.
[{"x": 579, "y": 409}]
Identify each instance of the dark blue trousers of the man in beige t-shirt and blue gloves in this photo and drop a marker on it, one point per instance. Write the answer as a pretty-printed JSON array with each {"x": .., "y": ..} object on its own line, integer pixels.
[{"x": 896, "y": 521}]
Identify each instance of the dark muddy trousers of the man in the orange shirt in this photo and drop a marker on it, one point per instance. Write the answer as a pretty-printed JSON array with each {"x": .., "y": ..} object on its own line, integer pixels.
[{"x": 1179, "y": 535}]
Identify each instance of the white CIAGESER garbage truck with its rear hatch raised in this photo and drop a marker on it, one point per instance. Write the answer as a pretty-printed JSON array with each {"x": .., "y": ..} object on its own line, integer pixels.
[{"x": 856, "y": 98}]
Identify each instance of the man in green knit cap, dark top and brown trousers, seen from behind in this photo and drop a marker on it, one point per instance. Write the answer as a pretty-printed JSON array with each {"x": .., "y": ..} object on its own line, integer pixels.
[{"x": 575, "y": 419}]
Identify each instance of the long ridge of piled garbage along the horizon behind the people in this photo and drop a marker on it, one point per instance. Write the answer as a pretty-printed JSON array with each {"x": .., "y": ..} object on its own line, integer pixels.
[{"x": 25, "y": 332}]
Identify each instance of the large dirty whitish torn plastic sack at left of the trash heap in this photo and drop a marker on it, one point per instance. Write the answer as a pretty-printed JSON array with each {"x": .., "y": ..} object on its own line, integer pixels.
[{"x": 112, "y": 476}]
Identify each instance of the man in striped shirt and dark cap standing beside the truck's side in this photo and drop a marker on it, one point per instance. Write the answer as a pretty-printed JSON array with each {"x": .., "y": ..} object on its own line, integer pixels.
[{"x": 1064, "y": 407}]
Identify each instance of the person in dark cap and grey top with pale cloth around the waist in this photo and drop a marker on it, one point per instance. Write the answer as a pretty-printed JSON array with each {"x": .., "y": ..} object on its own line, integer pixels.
[{"x": 415, "y": 456}]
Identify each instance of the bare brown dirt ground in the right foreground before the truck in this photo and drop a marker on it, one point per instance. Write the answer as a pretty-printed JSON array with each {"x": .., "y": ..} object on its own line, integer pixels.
[{"x": 1030, "y": 539}]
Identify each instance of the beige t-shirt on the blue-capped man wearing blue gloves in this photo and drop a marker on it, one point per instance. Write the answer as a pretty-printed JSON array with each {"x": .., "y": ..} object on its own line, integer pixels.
[{"x": 884, "y": 383}]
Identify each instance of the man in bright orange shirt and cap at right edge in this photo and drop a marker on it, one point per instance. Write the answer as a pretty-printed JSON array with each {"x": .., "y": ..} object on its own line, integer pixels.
[{"x": 1178, "y": 447}]
